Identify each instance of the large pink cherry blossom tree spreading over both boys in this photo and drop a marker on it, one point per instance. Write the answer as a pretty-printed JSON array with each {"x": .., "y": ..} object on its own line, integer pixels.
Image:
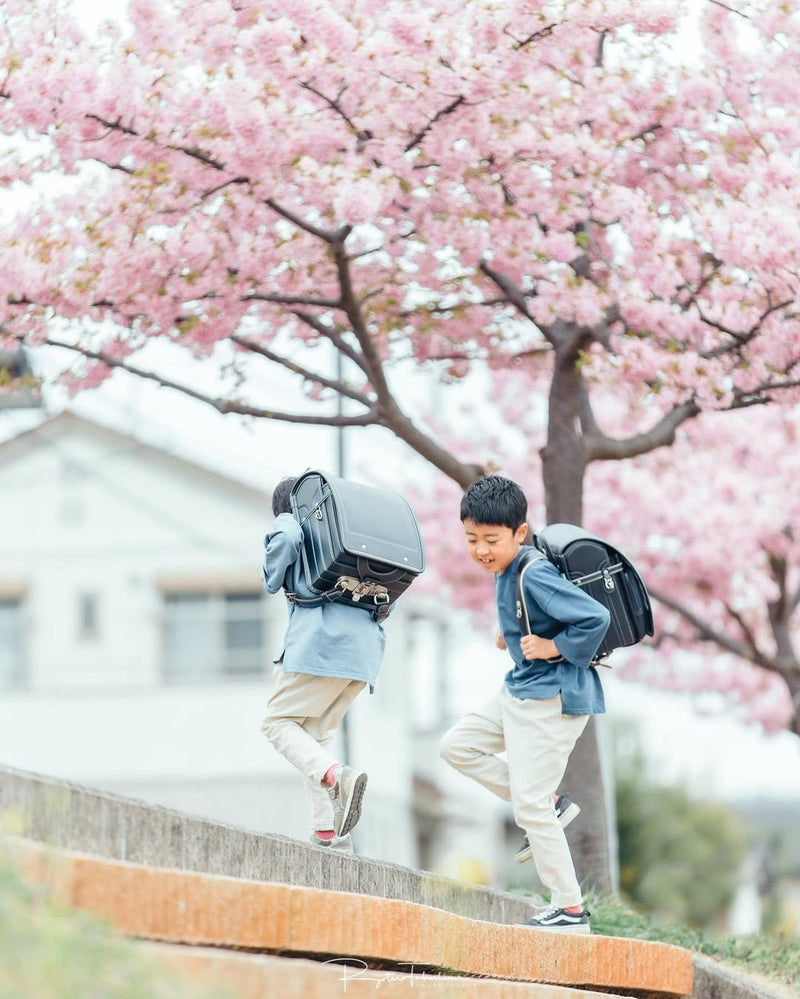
[{"x": 552, "y": 189}]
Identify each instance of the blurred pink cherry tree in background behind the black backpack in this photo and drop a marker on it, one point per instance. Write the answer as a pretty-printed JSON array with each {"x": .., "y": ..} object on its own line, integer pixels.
[{"x": 722, "y": 556}]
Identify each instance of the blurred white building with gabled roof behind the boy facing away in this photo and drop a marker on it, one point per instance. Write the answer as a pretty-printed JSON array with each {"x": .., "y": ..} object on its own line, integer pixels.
[{"x": 136, "y": 640}]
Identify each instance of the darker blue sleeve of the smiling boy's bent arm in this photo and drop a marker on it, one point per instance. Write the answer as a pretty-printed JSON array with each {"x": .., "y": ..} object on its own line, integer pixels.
[{"x": 586, "y": 621}]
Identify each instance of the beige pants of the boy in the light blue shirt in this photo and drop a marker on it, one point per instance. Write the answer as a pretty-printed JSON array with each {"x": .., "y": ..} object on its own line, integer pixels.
[{"x": 302, "y": 716}]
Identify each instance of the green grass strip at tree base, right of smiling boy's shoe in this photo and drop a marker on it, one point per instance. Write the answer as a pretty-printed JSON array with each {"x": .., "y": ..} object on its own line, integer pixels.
[{"x": 774, "y": 957}]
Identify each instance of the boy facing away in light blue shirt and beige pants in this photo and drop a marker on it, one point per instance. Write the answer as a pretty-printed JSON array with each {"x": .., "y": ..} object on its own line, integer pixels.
[{"x": 330, "y": 653}]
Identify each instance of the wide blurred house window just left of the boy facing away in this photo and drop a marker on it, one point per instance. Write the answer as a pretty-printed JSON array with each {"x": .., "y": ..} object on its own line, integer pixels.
[{"x": 214, "y": 635}]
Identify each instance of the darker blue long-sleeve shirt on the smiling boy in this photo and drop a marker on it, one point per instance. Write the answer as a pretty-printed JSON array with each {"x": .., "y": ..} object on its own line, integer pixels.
[{"x": 576, "y": 622}]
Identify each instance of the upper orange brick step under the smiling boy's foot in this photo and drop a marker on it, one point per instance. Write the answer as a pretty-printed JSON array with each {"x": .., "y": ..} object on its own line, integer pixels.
[{"x": 214, "y": 910}]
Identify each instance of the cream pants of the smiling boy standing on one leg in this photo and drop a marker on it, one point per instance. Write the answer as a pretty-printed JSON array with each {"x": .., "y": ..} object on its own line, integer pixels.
[{"x": 537, "y": 739}]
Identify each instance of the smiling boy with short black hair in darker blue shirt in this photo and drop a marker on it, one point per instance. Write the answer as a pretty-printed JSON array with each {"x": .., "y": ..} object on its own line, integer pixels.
[{"x": 545, "y": 702}]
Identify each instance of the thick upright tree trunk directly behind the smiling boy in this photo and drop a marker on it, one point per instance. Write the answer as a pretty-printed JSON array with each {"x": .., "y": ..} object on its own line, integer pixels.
[{"x": 589, "y": 778}]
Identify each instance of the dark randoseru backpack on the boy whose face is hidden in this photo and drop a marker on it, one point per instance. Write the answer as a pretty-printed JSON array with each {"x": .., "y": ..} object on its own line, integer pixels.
[{"x": 361, "y": 545}]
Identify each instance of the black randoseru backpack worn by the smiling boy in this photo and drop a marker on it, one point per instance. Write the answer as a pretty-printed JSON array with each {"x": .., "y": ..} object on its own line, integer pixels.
[{"x": 603, "y": 572}]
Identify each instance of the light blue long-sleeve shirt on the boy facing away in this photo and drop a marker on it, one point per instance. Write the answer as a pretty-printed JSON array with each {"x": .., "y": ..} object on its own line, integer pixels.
[{"x": 330, "y": 640}]
